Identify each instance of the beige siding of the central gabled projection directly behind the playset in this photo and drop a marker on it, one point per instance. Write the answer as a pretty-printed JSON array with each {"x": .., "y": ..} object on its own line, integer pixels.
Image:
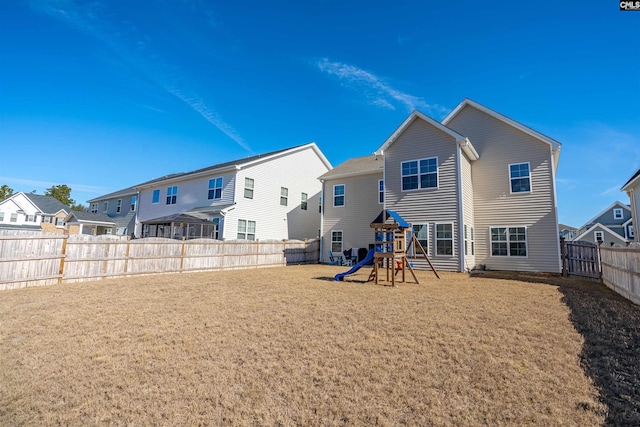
[{"x": 426, "y": 206}]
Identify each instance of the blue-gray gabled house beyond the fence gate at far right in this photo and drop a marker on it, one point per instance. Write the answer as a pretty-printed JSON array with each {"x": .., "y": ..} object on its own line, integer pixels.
[{"x": 612, "y": 225}]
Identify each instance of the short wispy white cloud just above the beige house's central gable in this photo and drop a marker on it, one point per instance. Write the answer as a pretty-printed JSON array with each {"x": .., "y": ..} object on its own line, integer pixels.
[{"x": 375, "y": 88}]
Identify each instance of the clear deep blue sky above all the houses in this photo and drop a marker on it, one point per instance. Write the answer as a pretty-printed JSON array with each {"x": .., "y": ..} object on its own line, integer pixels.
[{"x": 101, "y": 95}]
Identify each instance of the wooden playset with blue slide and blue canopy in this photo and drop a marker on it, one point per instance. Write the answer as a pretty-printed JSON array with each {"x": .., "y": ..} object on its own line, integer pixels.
[{"x": 390, "y": 250}]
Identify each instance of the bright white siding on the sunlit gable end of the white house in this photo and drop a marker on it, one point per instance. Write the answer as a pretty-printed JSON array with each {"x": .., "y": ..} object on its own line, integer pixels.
[{"x": 298, "y": 171}]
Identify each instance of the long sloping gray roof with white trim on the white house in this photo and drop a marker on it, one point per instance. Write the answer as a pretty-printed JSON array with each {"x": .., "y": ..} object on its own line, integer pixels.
[{"x": 234, "y": 165}]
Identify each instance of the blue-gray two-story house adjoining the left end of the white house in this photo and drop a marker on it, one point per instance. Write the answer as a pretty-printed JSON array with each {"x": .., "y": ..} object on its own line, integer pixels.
[{"x": 121, "y": 206}]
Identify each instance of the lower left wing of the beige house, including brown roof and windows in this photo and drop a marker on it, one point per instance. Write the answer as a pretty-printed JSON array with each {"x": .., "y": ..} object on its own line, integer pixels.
[{"x": 353, "y": 198}]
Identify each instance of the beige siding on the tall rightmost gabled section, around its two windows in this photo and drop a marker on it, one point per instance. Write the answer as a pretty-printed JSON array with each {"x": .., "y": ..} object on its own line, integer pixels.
[{"x": 499, "y": 145}]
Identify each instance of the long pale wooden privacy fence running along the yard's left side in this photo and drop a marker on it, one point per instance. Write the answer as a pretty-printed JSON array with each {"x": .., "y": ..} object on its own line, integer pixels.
[{"x": 36, "y": 259}]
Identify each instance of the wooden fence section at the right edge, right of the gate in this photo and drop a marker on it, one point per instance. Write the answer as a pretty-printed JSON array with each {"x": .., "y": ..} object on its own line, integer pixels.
[{"x": 621, "y": 269}]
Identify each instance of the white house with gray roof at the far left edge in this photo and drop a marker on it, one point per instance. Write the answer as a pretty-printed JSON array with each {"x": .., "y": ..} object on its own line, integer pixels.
[{"x": 27, "y": 211}]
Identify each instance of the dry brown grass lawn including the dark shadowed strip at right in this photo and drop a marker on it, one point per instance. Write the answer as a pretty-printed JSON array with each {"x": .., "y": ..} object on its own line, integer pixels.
[{"x": 286, "y": 346}]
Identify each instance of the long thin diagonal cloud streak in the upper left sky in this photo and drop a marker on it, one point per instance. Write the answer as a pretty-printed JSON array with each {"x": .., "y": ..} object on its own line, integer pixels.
[{"x": 131, "y": 46}]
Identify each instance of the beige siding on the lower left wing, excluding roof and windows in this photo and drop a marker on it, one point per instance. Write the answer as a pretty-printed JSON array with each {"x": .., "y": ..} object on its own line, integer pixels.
[{"x": 353, "y": 219}]
